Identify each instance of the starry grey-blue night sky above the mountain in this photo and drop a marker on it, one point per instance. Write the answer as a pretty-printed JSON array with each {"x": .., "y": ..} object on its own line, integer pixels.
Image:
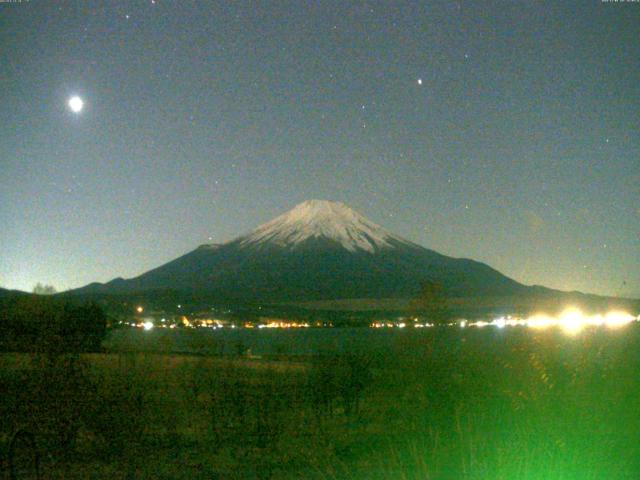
[{"x": 507, "y": 132}]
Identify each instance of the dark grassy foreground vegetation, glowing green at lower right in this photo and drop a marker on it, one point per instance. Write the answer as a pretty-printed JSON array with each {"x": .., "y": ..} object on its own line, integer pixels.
[{"x": 450, "y": 404}]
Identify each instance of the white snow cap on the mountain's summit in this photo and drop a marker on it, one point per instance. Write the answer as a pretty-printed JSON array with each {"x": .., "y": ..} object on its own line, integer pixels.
[{"x": 323, "y": 219}]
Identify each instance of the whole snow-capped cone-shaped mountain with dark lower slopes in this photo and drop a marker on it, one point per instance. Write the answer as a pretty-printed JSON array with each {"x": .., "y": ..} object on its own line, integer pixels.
[{"x": 319, "y": 250}]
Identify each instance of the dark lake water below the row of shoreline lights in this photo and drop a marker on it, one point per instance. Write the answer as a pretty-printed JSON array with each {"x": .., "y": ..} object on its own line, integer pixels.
[{"x": 315, "y": 341}]
